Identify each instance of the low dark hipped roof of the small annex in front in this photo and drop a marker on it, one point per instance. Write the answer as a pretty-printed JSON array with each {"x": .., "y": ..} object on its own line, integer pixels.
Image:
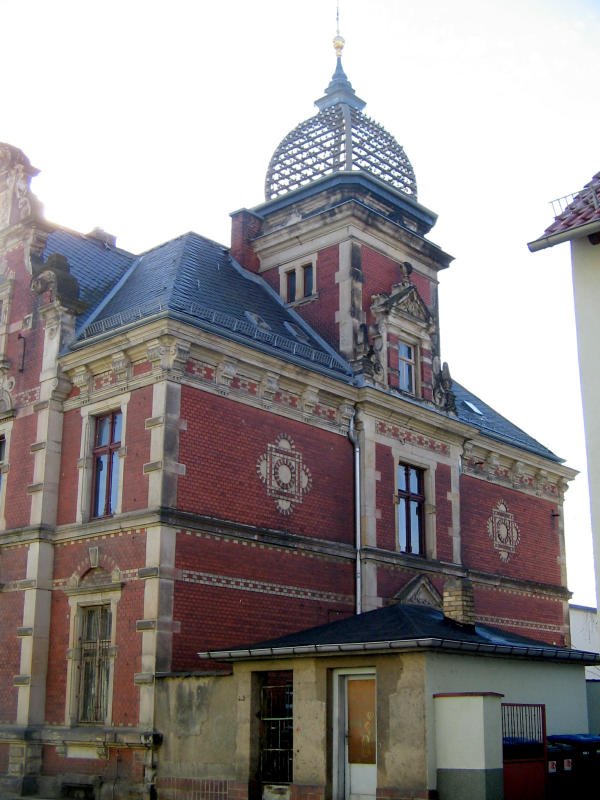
[{"x": 402, "y": 627}]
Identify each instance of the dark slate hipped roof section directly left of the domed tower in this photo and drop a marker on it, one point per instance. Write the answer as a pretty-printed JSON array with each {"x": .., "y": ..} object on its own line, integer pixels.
[{"x": 196, "y": 279}]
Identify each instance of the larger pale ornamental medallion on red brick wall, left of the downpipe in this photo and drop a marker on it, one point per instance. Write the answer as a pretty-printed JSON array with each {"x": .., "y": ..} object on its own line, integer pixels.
[{"x": 282, "y": 470}]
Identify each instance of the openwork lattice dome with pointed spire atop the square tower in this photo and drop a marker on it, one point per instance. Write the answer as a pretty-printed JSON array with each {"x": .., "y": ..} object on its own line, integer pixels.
[{"x": 339, "y": 138}]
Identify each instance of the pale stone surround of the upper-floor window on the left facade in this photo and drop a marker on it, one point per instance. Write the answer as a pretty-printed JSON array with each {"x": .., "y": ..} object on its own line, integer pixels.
[{"x": 89, "y": 414}]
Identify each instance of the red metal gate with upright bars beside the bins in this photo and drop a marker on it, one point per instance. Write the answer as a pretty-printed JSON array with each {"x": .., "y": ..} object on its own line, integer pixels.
[{"x": 524, "y": 751}]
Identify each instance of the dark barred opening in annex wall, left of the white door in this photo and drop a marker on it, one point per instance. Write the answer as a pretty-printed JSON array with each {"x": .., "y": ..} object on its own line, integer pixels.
[{"x": 276, "y": 728}]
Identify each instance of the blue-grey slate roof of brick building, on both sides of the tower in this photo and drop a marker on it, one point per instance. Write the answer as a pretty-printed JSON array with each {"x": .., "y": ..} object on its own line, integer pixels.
[{"x": 195, "y": 279}]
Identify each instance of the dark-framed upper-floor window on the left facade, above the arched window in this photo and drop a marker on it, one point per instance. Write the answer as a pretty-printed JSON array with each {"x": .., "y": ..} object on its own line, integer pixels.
[{"x": 106, "y": 462}]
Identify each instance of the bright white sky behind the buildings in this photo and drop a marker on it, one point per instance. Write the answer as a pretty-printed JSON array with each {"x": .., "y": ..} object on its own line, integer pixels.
[{"x": 150, "y": 119}]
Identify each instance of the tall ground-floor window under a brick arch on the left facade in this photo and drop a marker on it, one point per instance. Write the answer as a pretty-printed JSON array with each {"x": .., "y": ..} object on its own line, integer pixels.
[{"x": 96, "y": 624}]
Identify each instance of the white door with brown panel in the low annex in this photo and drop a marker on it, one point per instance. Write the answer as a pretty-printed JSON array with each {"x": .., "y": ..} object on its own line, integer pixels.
[{"x": 357, "y": 737}]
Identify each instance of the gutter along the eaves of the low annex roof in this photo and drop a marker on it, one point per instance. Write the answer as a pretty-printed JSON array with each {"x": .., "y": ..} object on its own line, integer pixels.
[{"x": 403, "y": 645}]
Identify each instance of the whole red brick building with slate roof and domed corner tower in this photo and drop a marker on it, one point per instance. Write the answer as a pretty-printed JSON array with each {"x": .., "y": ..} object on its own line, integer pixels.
[{"x": 203, "y": 446}]
